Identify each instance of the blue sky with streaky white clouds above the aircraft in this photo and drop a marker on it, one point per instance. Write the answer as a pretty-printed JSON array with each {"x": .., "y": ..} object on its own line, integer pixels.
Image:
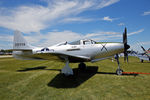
[{"x": 46, "y": 22}]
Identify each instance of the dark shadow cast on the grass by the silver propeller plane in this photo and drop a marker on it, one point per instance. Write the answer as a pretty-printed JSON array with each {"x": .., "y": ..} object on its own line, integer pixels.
[{"x": 79, "y": 77}]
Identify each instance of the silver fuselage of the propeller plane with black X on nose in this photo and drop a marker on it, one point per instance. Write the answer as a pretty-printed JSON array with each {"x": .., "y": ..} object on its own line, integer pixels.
[{"x": 92, "y": 51}]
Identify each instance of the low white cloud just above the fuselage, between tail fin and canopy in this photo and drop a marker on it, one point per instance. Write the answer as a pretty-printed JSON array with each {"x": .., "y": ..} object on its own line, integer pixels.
[{"x": 52, "y": 38}]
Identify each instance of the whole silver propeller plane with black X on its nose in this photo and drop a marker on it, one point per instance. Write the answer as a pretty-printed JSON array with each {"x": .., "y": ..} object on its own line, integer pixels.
[{"x": 81, "y": 51}]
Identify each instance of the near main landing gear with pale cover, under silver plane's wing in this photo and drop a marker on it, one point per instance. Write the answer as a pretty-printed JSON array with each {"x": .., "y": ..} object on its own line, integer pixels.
[{"x": 67, "y": 70}]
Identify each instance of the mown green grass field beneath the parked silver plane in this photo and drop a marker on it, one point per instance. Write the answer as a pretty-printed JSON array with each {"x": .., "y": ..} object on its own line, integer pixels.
[{"x": 41, "y": 80}]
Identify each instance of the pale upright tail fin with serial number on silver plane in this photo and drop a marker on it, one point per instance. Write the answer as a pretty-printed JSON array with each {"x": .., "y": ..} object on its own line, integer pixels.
[{"x": 19, "y": 42}]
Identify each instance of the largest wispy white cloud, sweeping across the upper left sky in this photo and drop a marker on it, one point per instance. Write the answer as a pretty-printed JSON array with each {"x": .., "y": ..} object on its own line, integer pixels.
[{"x": 34, "y": 18}]
